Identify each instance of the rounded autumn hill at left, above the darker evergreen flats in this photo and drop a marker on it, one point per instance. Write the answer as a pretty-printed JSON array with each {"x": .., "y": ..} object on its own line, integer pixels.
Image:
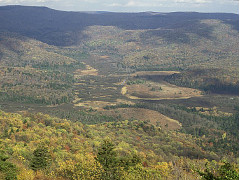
[{"x": 19, "y": 51}]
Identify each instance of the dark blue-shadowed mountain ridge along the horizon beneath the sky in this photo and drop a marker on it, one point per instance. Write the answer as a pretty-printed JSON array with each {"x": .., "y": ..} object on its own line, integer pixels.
[{"x": 64, "y": 28}]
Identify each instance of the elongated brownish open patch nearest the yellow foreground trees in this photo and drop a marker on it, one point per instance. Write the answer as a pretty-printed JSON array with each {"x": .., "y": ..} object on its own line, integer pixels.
[{"x": 141, "y": 114}]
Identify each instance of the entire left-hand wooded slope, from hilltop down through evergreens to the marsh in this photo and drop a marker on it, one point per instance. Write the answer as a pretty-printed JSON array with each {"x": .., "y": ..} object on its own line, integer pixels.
[{"x": 32, "y": 71}]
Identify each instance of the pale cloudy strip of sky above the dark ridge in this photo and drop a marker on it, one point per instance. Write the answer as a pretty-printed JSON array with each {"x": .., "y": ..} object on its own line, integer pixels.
[{"x": 133, "y": 5}]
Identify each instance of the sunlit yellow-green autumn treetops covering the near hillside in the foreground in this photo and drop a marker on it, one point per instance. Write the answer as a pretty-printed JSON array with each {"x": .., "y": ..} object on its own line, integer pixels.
[{"x": 40, "y": 146}]
